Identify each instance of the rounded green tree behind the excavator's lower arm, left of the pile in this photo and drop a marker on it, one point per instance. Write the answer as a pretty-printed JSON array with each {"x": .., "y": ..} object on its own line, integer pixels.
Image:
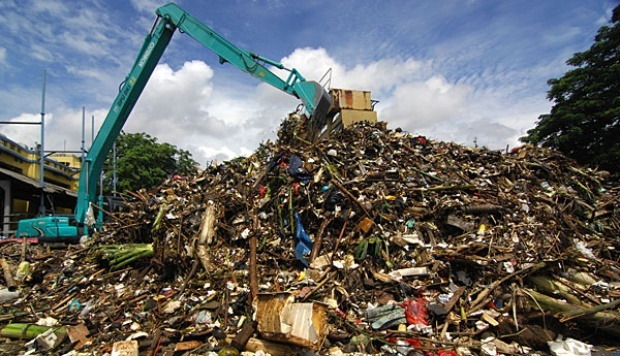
[{"x": 142, "y": 162}]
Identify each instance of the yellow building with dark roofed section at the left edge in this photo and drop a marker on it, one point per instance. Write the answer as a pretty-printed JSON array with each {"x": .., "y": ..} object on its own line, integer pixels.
[{"x": 20, "y": 184}]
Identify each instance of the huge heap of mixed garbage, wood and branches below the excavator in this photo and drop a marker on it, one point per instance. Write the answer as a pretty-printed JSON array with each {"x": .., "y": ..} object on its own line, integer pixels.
[{"x": 372, "y": 241}]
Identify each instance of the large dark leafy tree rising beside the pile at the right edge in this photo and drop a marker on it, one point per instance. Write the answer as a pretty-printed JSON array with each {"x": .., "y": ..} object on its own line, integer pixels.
[{"x": 584, "y": 122}]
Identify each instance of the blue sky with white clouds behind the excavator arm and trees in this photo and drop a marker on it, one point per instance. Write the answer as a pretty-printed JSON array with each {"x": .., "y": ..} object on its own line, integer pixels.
[{"x": 452, "y": 70}]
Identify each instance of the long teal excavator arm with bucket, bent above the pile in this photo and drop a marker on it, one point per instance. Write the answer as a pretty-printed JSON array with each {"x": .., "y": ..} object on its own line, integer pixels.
[{"x": 170, "y": 18}]
